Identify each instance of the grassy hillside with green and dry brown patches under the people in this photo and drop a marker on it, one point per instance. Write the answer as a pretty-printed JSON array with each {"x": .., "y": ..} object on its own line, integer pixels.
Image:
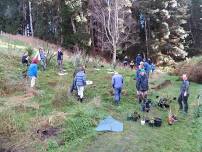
[{"x": 24, "y": 113}]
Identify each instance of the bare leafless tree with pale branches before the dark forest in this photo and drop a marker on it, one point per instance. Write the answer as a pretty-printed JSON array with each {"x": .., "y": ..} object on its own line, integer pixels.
[{"x": 111, "y": 16}]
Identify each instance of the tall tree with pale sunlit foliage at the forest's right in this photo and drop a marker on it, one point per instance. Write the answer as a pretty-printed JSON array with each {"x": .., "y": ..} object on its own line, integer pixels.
[{"x": 167, "y": 26}]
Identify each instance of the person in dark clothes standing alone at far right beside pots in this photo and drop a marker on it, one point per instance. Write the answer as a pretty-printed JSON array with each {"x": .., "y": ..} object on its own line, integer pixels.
[{"x": 184, "y": 94}]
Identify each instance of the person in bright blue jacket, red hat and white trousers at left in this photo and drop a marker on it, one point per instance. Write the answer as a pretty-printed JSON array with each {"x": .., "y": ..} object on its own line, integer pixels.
[{"x": 33, "y": 72}]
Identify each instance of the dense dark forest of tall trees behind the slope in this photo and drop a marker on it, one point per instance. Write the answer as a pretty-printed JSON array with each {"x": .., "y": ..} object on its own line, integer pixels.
[{"x": 157, "y": 27}]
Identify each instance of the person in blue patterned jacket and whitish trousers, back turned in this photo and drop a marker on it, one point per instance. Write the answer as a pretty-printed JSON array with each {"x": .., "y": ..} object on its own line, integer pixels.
[{"x": 80, "y": 83}]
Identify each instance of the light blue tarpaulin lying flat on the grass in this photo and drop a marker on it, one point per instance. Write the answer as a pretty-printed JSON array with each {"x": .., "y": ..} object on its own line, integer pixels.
[{"x": 110, "y": 124}]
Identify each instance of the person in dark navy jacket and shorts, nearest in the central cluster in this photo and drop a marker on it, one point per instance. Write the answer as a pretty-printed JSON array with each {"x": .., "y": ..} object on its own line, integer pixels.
[{"x": 142, "y": 86}]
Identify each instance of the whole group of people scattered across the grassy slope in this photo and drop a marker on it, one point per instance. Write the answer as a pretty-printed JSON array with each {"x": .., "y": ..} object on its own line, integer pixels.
[{"x": 143, "y": 69}]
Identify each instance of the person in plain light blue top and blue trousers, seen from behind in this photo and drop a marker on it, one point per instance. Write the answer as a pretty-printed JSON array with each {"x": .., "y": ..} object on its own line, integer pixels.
[{"x": 117, "y": 85}]
